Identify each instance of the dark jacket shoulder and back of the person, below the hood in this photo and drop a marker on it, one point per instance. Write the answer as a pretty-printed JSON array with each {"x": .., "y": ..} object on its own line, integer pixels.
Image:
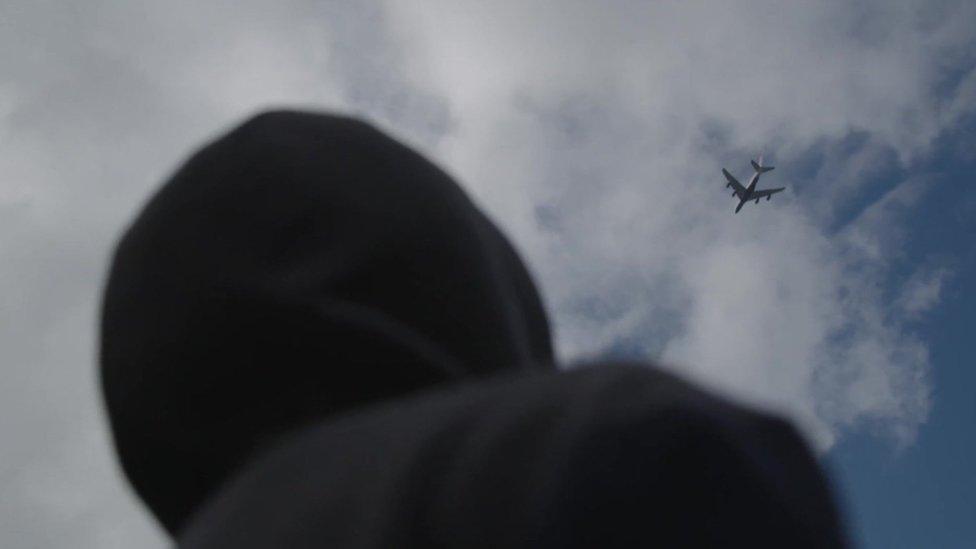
[{"x": 604, "y": 456}]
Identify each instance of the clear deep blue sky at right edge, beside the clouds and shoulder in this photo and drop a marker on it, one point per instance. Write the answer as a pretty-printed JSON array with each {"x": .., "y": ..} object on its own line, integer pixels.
[{"x": 925, "y": 495}]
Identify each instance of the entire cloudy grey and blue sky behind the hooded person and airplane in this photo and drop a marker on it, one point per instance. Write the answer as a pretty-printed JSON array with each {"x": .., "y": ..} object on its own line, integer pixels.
[{"x": 594, "y": 134}]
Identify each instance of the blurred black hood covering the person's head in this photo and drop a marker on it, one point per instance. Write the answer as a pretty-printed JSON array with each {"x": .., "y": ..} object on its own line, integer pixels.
[{"x": 300, "y": 266}]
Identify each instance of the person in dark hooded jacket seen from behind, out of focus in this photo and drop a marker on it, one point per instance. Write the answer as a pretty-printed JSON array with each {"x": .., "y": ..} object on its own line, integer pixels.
[{"x": 311, "y": 337}]
